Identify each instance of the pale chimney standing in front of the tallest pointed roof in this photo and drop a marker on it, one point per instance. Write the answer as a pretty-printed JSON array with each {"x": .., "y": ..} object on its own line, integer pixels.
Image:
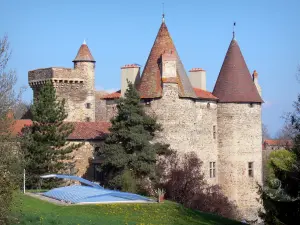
[{"x": 168, "y": 65}]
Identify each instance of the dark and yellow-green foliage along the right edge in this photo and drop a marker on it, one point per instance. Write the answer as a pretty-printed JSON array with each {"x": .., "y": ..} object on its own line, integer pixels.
[{"x": 281, "y": 198}]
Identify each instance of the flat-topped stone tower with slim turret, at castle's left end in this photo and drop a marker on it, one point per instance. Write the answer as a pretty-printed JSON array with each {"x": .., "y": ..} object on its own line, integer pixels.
[{"x": 76, "y": 85}]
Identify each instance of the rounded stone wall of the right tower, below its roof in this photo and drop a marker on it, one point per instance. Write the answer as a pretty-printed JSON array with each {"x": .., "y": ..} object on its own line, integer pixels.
[{"x": 239, "y": 142}]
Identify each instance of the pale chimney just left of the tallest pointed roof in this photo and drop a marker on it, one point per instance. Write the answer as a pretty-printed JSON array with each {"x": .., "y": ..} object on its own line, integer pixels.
[{"x": 130, "y": 72}]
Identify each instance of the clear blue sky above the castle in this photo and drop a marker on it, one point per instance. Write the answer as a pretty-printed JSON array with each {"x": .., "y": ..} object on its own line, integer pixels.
[{"x": 49, "y": 33}]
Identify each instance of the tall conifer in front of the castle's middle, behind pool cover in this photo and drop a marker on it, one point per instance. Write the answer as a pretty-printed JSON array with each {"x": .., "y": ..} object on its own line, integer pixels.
[{"x": 130, "y": 145}]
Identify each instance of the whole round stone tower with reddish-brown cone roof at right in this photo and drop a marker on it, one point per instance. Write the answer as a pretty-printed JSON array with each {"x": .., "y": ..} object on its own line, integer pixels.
[{"x": 239, "y": 132}]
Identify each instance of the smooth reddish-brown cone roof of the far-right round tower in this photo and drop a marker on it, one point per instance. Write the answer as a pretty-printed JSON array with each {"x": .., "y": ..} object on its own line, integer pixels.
[{"x": 234, "y": 83}]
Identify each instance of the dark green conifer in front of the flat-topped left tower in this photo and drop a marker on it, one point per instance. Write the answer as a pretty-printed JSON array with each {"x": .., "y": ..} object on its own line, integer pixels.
[{"x": 45, "y": 143}]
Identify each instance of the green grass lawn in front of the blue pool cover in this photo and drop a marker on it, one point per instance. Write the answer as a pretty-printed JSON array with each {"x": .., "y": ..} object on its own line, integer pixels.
[{"x": 34, "y": 211}]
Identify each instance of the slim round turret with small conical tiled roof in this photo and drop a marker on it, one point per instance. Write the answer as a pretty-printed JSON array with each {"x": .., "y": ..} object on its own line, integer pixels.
[{"x": 84, "y": 66}]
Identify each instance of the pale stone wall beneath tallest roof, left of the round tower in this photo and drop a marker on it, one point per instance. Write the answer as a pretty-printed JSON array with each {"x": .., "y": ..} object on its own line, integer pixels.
[{"x": 187, "y": 125}]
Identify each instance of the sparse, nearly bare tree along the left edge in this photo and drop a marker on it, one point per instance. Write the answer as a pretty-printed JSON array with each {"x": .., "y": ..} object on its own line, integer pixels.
[{"x": 11, "y": 159}]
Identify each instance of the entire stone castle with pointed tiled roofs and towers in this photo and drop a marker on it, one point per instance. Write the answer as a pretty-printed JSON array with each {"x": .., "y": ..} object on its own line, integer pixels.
[{"x": 223, "y": 127}]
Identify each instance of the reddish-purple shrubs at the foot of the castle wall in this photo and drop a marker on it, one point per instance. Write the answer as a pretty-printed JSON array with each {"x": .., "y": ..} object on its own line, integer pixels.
[{"x": 186, "y": 185}]
